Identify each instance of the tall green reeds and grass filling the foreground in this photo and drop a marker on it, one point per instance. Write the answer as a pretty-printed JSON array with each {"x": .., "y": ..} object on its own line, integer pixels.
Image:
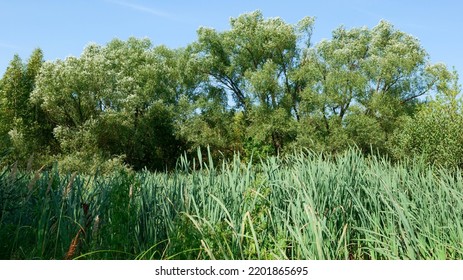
[{"x": 303, "y": 206}]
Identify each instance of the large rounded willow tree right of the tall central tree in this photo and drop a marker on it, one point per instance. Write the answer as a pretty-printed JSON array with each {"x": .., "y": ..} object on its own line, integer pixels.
[{"x": 359, "y": 84}]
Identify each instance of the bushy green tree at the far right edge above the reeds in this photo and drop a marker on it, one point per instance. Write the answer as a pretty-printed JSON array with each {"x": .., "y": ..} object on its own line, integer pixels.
[{"x": 434, "y": 133}]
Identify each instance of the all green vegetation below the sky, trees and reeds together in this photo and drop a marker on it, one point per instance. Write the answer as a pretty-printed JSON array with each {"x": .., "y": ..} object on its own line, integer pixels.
[{"x": 350, "y": 148}]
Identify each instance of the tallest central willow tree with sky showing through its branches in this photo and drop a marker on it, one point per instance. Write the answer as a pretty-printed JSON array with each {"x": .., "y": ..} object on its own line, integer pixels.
[{"x": 252, "y": 63}]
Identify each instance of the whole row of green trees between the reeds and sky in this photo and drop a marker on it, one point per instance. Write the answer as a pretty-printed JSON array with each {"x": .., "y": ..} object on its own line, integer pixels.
[{"x": 260, "y": 88}]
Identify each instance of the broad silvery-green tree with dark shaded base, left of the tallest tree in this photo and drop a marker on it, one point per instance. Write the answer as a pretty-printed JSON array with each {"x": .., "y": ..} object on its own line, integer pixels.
[{"x": 114, "y": 101}]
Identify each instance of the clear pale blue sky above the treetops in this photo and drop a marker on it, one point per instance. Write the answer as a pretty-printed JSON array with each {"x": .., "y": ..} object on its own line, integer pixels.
[{"x": 64, "y": 27}]
